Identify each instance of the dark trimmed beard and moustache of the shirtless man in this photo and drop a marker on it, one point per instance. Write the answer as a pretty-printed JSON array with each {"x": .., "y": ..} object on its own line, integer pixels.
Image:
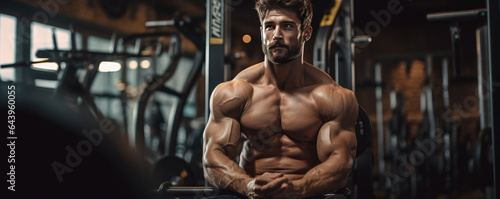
[{"x": 292, "y": 52}]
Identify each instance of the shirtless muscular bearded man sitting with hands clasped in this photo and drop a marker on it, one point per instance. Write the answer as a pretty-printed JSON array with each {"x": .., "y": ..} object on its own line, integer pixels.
[{"x": 287, "y": 123}]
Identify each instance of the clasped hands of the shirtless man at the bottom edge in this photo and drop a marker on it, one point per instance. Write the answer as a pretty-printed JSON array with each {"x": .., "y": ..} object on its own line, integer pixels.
[{"x": 271, "y": 185}]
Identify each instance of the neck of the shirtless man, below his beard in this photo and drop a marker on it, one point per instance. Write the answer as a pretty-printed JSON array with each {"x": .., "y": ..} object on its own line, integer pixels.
[{"x": 285, "y": 76}]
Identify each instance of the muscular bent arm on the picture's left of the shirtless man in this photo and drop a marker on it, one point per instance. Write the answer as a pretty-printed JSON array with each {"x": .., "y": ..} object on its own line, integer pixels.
[{"x": 222, "y": 138}]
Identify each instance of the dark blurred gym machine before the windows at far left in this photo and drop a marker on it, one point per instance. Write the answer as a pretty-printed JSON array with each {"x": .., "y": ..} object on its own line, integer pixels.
[{"x": 70, "y": 88}]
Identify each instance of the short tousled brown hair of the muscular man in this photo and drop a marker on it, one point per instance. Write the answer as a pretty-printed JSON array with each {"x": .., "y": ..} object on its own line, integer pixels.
[{"x": 303, "y": 8}]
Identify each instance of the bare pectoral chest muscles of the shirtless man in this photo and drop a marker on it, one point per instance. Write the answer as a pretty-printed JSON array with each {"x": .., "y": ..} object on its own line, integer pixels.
[{"x": 271, "y": 111}]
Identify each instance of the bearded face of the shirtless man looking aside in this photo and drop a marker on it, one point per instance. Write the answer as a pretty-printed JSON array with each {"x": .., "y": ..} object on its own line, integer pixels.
[{"x": 282, "y": 37}]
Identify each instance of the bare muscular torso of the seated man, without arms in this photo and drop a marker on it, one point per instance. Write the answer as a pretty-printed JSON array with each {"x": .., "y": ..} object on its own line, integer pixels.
[{"x": 280, "y": 126}]
